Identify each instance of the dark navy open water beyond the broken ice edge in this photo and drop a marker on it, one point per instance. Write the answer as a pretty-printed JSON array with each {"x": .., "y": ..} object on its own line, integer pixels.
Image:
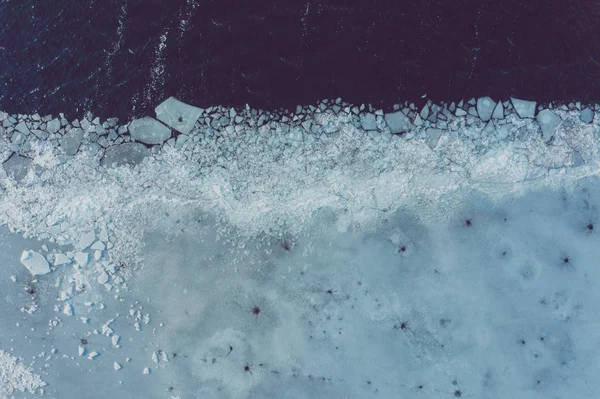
[{"x": 106, "y": 56}]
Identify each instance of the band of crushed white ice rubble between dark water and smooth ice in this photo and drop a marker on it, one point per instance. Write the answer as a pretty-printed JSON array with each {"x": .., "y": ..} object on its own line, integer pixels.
[{"x": 267, "y": 172}]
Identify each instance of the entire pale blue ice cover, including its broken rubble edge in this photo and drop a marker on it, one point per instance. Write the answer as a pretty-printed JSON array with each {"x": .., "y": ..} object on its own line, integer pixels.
[{"x": 337, "y": 252}]
